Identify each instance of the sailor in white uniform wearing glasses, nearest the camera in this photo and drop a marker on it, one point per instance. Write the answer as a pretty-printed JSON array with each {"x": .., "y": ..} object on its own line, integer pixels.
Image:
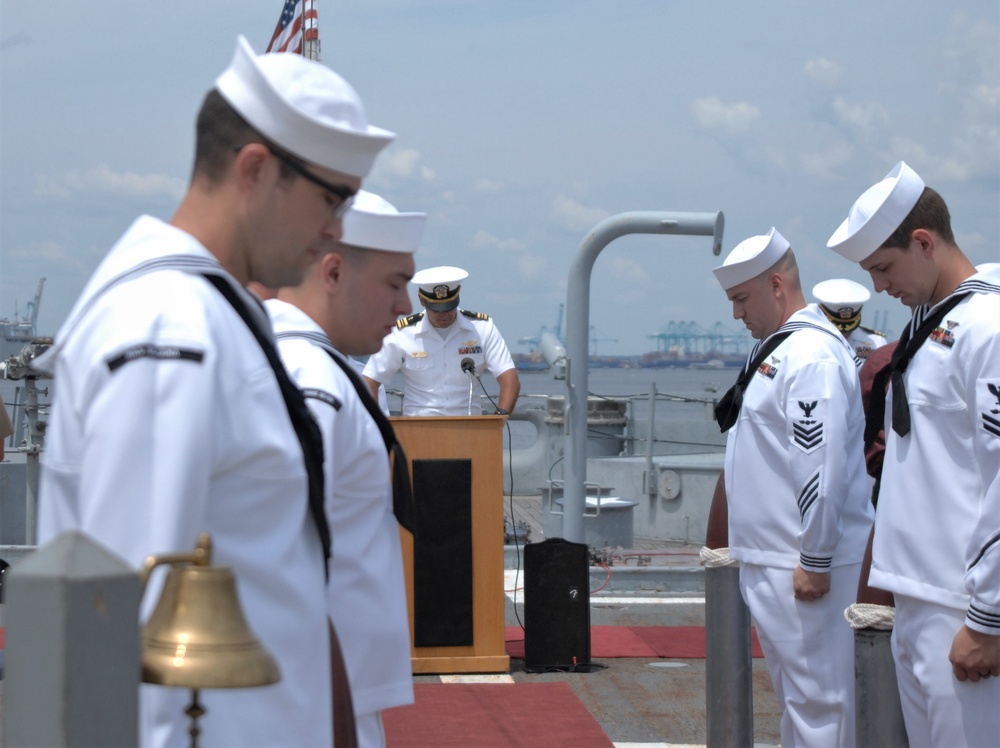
[{"x": 169, "y": 418}]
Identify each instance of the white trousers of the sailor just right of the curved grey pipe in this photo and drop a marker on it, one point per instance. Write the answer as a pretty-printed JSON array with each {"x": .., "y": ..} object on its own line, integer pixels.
[{"x": 809, "y": 650}]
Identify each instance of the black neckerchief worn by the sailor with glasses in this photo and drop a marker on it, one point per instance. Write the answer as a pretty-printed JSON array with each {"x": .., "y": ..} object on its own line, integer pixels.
[{"x": 306, "y": 429}]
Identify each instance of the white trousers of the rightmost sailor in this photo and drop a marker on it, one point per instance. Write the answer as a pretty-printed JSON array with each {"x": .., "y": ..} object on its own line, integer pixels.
[{"x": 938, "y": 709}]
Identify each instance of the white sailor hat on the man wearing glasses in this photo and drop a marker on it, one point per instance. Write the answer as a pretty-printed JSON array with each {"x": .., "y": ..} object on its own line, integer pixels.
[{"x": 304, "y": 107}]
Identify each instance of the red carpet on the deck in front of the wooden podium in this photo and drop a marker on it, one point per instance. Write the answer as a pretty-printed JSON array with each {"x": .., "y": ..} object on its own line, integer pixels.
[{"x": 493, "y": 715}]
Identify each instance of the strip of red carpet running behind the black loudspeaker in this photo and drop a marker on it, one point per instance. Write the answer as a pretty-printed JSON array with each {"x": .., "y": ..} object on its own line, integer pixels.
[{"x": 677, "y": 642}]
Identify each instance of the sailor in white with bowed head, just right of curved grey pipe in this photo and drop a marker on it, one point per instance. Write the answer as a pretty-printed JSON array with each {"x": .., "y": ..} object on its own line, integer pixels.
[{"x": 799, "y": 515}]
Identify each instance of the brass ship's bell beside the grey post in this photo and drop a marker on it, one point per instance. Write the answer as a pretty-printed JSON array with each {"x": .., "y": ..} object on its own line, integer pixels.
[{"x": 197, "y": 636}]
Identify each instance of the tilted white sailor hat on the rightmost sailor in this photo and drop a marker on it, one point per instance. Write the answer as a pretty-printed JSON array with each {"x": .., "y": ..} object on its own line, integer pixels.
[{"x": 877, "y": 213}]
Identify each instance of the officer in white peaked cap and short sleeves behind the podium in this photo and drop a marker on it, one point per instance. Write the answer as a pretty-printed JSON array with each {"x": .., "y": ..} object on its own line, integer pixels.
[{"x": 442, "y": 351}]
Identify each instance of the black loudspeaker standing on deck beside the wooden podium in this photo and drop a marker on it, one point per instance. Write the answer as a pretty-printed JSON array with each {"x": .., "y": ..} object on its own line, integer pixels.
[{"x": 556, "y": 606}]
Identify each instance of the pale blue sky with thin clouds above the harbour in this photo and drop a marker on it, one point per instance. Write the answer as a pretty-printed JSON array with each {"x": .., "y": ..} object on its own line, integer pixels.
[{"x": 521, "y": 125}]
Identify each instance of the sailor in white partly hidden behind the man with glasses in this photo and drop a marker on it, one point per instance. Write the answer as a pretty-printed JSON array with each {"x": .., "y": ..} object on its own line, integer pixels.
[{"x": 347, "y": 303}]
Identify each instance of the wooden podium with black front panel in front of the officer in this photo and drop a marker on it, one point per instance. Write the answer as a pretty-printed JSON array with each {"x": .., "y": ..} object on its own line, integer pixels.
[{"x": 454, "y": 572}]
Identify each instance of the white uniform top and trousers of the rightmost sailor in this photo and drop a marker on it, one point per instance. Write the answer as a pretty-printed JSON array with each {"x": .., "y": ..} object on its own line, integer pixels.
[{"x": 937, "y": 534}]
